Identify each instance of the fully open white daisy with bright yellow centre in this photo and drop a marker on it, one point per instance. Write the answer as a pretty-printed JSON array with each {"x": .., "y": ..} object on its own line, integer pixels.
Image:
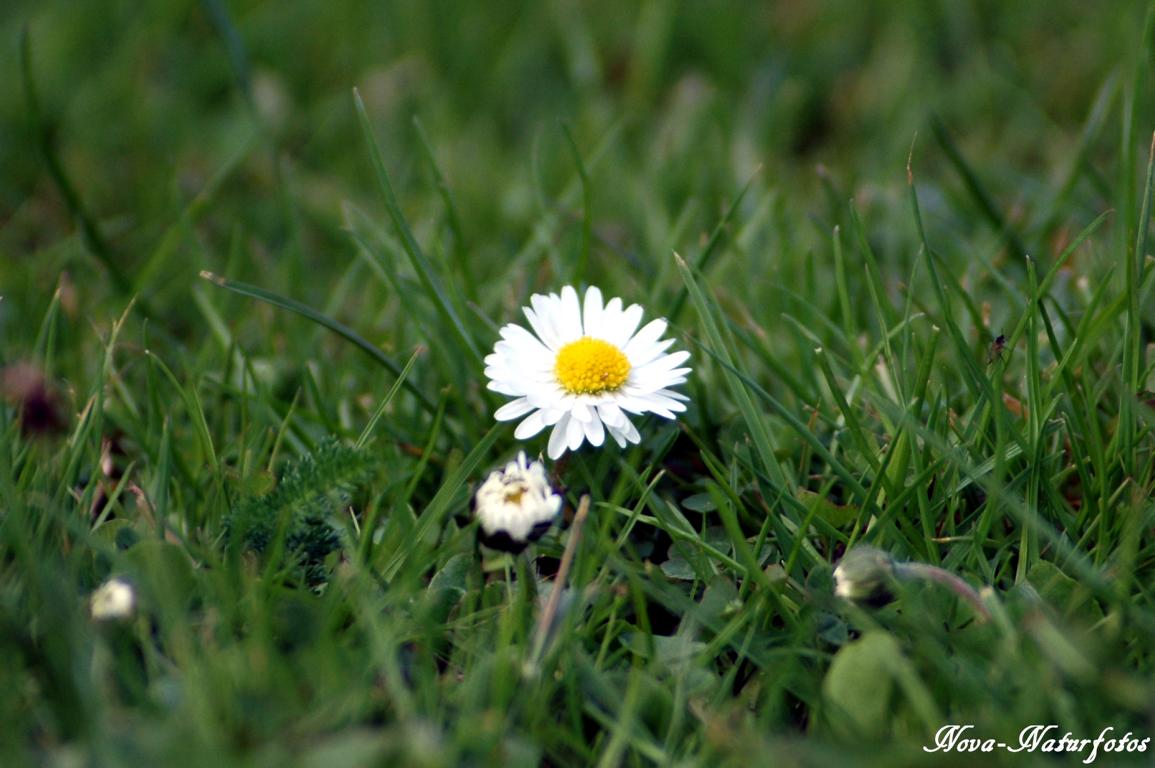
[{"x": 585, "y": 368}]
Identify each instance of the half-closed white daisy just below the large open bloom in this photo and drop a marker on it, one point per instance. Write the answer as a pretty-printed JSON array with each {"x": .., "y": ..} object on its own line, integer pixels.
[{"x": 516, "y": 505}]
